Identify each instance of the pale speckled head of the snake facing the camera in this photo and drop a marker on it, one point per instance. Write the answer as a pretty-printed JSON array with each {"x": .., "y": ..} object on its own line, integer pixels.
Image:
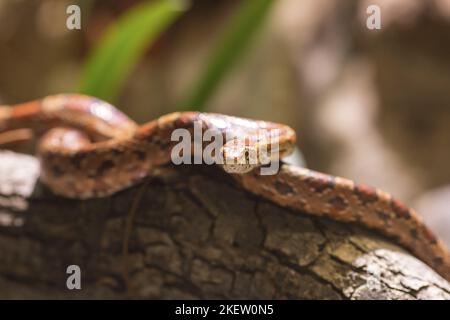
[{"x": 239, "y": 157}]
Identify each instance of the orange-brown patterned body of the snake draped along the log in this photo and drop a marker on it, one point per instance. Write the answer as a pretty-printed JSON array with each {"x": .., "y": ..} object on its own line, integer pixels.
[{"x": 121, "y": 154}]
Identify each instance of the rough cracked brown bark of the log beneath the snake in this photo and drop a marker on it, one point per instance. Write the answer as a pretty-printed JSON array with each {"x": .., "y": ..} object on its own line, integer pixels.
[{"x": 194, "y": 234}]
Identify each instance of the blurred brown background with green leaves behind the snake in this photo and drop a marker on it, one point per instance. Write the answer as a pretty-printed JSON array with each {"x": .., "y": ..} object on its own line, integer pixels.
[{"x": 369, "y": 105}]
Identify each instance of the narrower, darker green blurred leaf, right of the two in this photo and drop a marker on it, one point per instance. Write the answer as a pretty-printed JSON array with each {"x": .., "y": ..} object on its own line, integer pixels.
[{"x": 240, "y": 30}]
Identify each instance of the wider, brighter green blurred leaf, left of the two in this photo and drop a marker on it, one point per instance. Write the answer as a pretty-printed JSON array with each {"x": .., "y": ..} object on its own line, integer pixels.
[{"x": 123, "y": 45}]
